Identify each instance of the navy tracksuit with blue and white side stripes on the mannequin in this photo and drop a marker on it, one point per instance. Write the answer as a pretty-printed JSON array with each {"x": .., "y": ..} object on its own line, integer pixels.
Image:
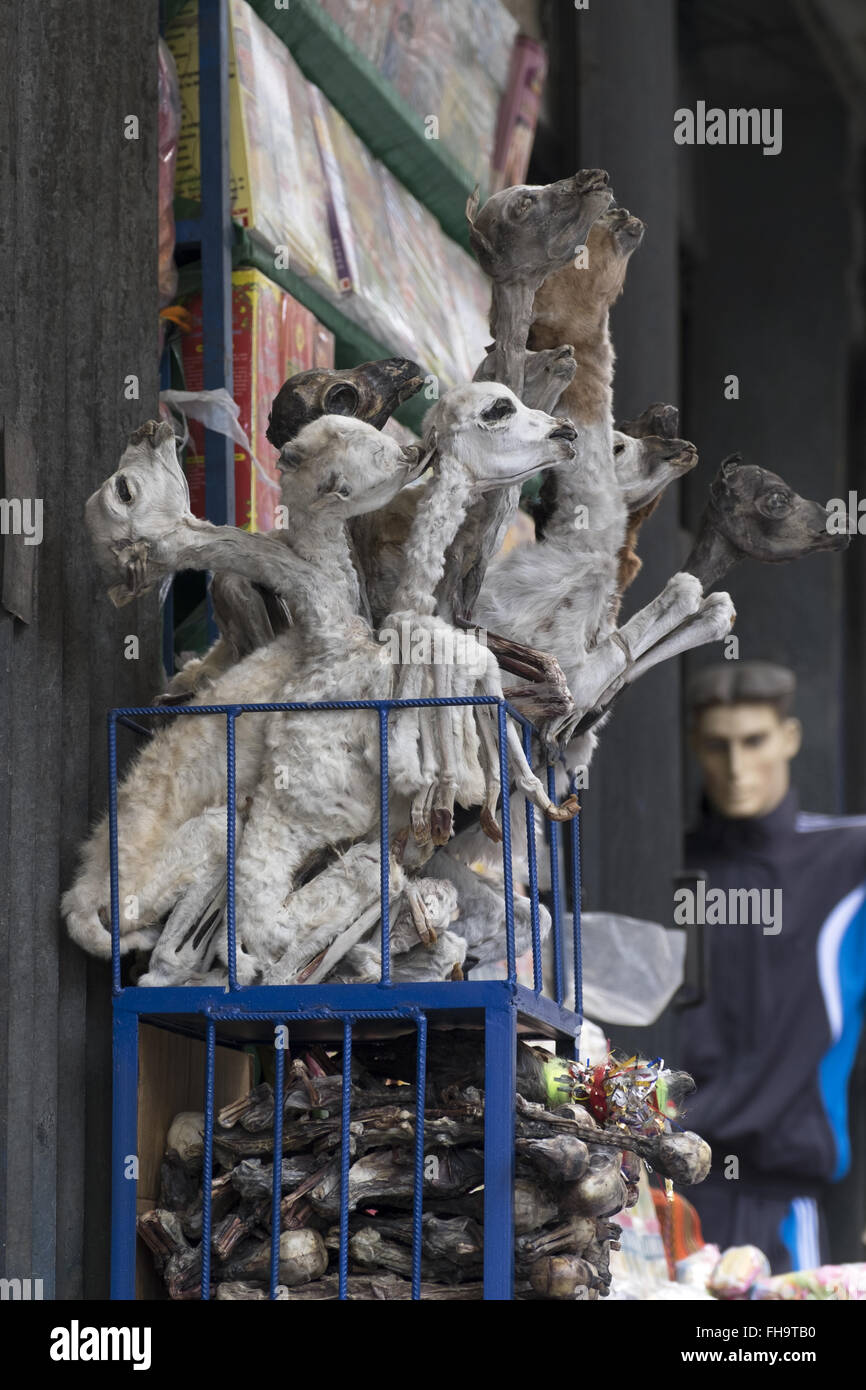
[{"x": 774, "y": 1045}]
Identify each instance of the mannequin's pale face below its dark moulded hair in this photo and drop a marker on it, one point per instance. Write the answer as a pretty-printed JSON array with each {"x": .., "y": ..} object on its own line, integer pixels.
[{"x": 746, "y": 753}]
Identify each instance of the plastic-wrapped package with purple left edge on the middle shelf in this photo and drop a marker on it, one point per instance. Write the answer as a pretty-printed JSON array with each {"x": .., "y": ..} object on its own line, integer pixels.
[{"x": 362, "y": 229}]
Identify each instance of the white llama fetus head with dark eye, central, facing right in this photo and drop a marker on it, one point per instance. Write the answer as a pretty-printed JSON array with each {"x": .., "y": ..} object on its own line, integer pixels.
[{"x": 497, "y": 441}]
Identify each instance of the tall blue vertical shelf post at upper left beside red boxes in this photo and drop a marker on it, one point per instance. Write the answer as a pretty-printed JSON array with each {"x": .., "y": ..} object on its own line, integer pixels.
[{"x": 218, "y": 234}]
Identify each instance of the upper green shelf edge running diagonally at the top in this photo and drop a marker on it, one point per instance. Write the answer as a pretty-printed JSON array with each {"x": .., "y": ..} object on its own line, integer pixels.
[{"x": 379, "y": 115}]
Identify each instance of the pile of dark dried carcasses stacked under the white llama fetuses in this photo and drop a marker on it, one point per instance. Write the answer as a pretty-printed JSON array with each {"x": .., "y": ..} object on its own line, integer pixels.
[{"x": 578, "y": 1166}]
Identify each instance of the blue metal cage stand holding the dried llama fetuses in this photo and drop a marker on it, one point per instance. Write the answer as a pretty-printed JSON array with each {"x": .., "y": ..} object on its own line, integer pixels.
[{"x": 338, "y": 1013}]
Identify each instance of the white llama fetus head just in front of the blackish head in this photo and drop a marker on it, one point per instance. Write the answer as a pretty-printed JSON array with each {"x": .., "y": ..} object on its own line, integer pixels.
[{"x": 344, "y": 468}]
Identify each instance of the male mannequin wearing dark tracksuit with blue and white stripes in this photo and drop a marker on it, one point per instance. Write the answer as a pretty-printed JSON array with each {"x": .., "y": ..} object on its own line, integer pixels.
[{"x": 774, "y": 1042}]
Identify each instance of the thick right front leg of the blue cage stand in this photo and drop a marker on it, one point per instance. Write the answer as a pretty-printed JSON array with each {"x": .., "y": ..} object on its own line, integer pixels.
[{"x": 500, "y": 1086}]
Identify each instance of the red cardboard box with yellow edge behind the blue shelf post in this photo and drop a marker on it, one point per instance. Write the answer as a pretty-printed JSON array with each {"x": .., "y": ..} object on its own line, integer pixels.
[{"x": 273, "y": 338}]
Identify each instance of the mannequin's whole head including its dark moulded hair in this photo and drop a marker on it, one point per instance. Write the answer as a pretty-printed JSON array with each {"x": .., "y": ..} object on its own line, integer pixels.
[{"x": 744, "y": 736}]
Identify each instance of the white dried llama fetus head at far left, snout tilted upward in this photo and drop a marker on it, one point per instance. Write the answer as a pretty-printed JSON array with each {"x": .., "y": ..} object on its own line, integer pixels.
[{"x": 145, "y": 496}]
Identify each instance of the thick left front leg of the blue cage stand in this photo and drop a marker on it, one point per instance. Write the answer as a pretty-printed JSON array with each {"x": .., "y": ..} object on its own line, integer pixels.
[{"x": 124, "y": 1154}]
